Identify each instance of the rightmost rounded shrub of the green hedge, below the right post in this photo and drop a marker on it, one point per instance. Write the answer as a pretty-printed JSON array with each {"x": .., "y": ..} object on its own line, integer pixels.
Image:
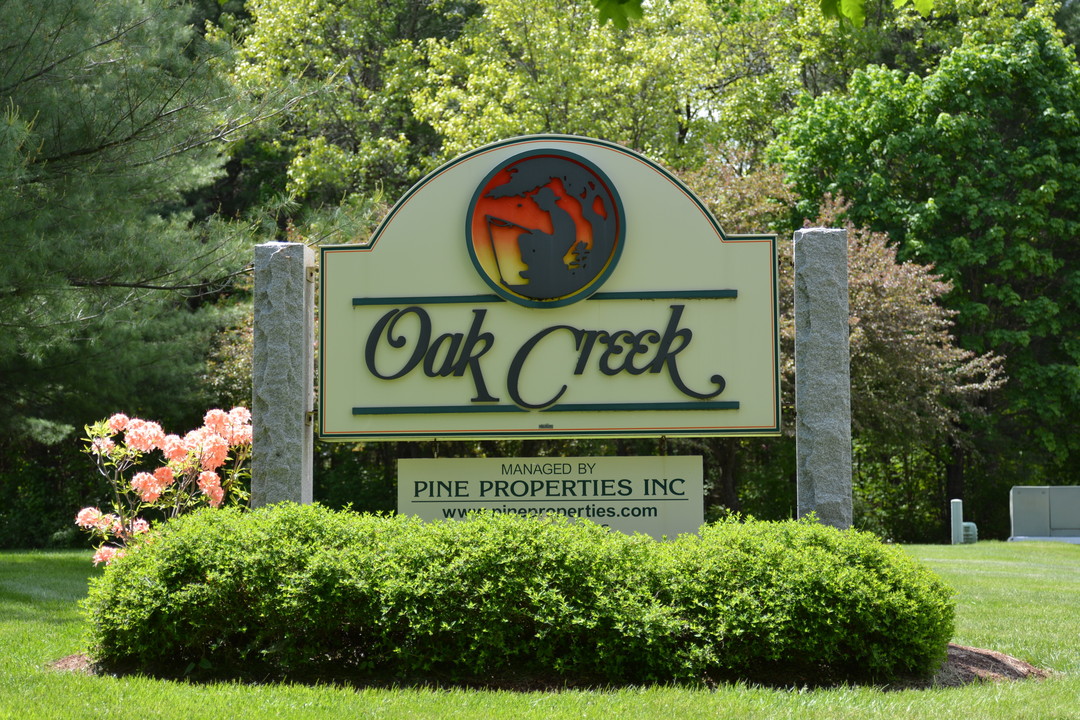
[{"x": 809, "y": 600}]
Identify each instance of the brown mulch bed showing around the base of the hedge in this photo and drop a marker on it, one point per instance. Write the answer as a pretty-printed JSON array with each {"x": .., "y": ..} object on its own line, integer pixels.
[{"x": 964, "y": 667}]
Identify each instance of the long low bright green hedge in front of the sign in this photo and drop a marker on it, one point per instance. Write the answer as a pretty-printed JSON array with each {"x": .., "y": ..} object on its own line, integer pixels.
[{"x": 302, "y": 591}]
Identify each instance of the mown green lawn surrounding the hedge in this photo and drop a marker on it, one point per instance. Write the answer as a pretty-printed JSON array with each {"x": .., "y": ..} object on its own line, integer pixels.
[{"x": 1019, "y": 599}]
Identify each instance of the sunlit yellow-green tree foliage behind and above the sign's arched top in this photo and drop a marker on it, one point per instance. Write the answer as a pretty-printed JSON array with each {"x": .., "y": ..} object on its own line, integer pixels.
[{"x": 390, "y": 88}]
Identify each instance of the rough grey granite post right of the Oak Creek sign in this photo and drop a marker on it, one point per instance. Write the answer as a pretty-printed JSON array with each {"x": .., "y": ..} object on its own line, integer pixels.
[{"x": 822, "y": 376}]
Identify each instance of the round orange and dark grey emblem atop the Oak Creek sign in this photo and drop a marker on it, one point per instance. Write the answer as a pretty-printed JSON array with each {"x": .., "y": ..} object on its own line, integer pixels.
[{"x": 546, "y": 229}]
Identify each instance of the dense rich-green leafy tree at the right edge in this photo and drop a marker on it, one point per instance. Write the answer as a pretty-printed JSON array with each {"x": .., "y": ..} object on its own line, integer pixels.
[{"x": 976, "y": 170}]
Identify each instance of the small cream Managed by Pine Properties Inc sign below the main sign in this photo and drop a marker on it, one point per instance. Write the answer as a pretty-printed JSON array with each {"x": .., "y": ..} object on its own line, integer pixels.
[{"x": 660, "y": 497}]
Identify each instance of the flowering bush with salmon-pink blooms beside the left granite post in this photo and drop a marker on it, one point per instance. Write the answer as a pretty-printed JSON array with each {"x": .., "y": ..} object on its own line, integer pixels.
[{"x": 207, "y": 467}]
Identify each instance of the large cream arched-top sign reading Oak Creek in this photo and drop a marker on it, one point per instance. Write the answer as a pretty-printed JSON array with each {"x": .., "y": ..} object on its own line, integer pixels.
[{"x": 549, "y": 287}]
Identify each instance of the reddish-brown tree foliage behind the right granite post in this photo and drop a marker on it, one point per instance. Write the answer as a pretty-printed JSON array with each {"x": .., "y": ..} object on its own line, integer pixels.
[{"x": 911, "y": 384}]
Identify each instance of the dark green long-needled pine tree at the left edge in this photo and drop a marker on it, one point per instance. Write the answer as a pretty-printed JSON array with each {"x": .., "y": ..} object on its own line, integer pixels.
[{"x": 112, "y": 113}]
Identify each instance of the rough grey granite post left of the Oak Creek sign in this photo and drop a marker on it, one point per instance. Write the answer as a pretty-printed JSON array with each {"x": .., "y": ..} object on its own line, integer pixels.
[{"x": 283, "y": 374}]
